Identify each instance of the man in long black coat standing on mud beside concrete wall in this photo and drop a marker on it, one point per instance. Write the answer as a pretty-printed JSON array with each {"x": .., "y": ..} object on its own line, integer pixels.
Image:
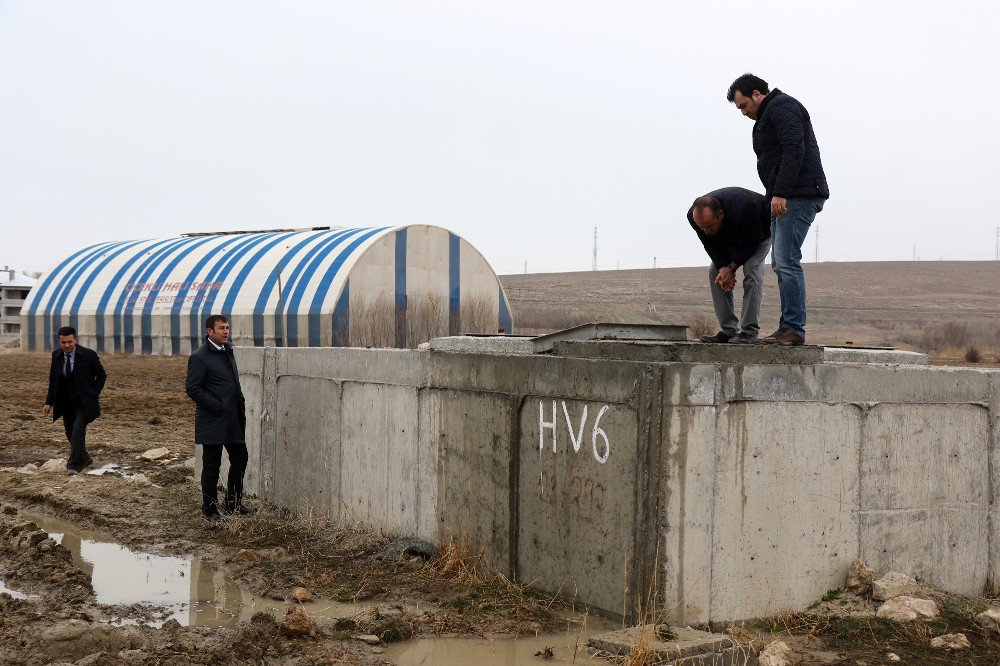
[{"x": 213, "y": 382}]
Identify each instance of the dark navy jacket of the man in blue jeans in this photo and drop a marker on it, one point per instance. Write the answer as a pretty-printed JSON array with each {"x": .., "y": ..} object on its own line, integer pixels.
[{"x": 788, "y": 161}]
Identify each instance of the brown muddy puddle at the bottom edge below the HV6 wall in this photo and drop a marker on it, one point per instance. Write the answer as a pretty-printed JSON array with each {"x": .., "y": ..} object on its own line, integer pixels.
[{"x": 566, "y": 648}]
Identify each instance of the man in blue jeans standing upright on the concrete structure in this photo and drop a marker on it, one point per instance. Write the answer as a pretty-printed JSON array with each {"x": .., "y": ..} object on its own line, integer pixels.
[{"x": 789, "y": 166}]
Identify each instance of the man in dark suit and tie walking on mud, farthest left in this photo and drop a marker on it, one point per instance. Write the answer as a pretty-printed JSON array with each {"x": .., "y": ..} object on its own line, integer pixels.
[{"x": 76, "y": 379}]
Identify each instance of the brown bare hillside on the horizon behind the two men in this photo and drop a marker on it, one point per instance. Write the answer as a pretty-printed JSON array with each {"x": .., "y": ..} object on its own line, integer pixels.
[{"x": 865, "y": 302}]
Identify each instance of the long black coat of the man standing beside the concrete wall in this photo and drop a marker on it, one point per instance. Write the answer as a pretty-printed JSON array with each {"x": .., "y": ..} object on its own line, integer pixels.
[{"x": 213, "y": 382}]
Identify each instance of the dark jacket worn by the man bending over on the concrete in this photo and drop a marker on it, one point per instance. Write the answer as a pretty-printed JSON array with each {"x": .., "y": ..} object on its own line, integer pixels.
[{"x": 744, "y": 226}]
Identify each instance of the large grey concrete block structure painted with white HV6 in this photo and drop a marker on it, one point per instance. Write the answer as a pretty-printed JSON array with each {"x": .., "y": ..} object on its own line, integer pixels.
[{"x": 731, "y": 486}]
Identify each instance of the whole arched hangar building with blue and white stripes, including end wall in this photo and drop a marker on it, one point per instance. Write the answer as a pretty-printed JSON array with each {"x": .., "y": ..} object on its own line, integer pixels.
[{"x": 380, "y": 287}]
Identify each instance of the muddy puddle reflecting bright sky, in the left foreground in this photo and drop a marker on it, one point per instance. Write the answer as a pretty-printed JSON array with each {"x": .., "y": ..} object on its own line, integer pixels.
[{"x": 188, "y": 590}]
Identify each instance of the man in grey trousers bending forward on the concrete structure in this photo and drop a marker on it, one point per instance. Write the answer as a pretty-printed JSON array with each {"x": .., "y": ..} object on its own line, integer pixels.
[{"x": 731, "y": 225}]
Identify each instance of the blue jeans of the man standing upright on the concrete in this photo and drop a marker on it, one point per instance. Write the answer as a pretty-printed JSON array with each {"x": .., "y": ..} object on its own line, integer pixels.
[{"x": 788, "y": 232}]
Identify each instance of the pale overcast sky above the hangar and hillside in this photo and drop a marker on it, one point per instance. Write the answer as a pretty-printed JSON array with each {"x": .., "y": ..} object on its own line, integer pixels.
[{"x": 518, "y": 125}]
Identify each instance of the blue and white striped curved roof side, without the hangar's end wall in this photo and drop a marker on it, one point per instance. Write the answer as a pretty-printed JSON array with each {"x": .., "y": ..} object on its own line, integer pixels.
[{"x": 195, "y": 276}]
